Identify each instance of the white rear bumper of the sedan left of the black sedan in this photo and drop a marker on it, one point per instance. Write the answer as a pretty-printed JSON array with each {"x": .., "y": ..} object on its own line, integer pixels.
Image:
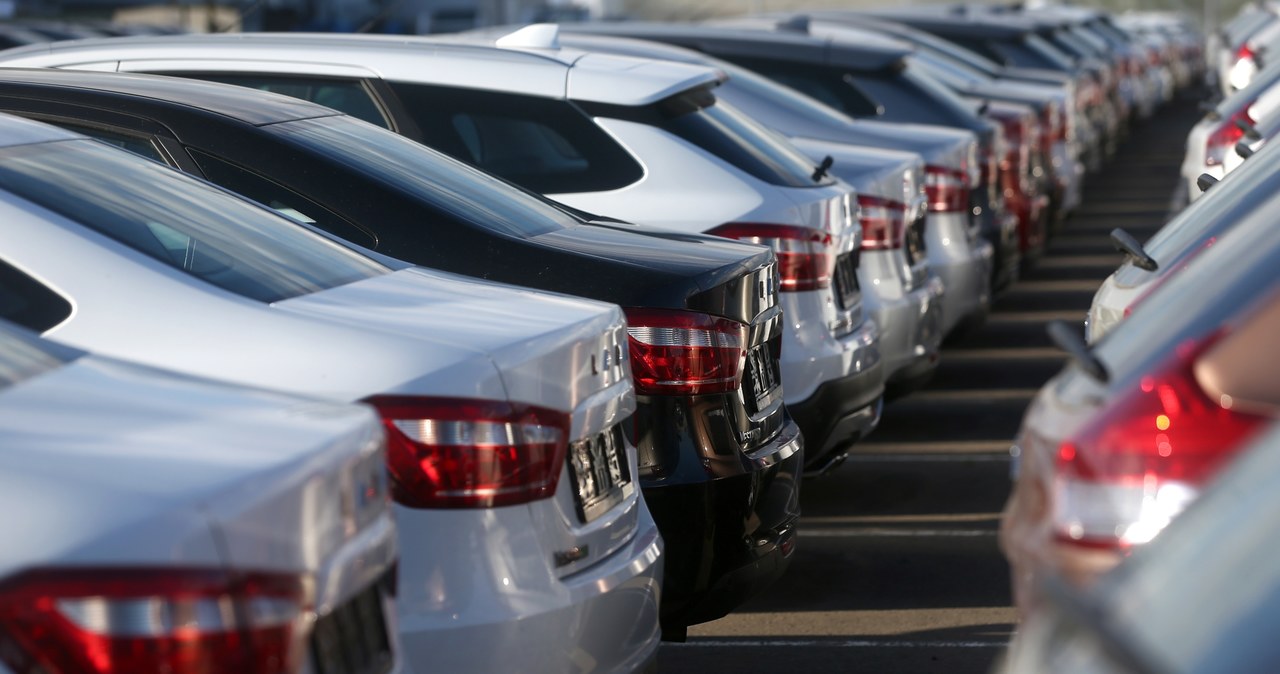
[{"x": 464, "y": 621}]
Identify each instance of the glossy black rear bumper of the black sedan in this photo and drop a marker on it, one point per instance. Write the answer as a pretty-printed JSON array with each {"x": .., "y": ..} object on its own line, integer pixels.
[{"x": 729, "y": 538}]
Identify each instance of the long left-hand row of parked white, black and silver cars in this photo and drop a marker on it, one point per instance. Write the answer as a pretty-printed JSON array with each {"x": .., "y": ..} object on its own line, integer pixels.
[{"x": 577, "y": 306}]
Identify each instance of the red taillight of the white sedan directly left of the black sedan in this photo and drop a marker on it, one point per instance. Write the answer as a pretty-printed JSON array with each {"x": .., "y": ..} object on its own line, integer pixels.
[{"x": 467, "y": 453}]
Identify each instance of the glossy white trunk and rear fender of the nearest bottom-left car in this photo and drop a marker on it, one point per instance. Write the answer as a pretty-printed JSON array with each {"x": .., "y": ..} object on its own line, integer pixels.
[{"x": 113, "y": 464}]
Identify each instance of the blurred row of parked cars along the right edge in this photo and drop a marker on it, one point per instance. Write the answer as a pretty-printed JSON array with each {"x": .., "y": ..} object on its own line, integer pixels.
[{"x": 1141, "y": 524}]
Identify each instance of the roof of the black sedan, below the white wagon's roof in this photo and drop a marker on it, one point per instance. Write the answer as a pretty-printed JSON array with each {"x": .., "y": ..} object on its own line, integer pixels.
[{"x": 252, "y": 107}]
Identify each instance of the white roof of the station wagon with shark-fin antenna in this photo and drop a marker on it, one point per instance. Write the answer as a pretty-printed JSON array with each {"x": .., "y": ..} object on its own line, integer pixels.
[{"x": 531, "y": 66}]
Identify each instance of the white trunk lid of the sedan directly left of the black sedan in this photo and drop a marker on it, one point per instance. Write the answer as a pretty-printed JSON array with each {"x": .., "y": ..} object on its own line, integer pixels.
[{"x": 550, "y": 350}]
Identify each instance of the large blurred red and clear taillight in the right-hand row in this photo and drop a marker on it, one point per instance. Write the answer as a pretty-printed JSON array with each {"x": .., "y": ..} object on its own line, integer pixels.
[{"x": 1132, "y": 469}]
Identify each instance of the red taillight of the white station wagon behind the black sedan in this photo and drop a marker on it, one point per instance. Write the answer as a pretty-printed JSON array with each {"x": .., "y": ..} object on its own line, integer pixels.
[{"x": 807, "y": 258}]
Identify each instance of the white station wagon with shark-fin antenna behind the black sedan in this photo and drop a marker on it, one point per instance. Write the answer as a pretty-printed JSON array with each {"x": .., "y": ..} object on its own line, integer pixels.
[{"x": 637, "y": 140}]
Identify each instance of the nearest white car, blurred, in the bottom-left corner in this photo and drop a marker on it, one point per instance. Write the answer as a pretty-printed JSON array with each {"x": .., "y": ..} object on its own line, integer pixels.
[{"x": 164, "y": 524}]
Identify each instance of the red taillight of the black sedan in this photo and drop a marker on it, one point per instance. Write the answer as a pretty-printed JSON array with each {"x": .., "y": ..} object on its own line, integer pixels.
[{"x": 684, "y": 352}]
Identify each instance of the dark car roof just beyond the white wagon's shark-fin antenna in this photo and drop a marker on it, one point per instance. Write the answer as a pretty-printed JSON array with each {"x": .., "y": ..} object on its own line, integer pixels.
[{"x": 757, "y": 44}]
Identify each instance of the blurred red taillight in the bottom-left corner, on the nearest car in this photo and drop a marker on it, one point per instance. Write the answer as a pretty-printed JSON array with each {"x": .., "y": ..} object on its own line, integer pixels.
[{"x": 158, "y": 620}]
